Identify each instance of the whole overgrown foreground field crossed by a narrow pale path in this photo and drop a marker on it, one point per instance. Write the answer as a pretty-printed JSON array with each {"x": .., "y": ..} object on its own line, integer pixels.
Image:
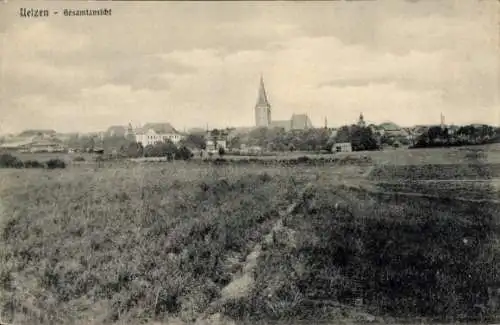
[{"x": 150, "y": 242}]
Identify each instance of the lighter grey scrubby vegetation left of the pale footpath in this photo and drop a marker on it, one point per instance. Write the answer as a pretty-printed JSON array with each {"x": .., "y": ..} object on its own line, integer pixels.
[{"x": 137, "y": 251}]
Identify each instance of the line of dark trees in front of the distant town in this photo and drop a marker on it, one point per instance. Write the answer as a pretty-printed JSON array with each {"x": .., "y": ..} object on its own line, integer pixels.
[{"x": 278, "y": 139}]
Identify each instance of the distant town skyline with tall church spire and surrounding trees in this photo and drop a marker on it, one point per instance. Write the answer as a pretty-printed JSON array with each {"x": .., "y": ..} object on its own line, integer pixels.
[{"x": 267, "y": 135}]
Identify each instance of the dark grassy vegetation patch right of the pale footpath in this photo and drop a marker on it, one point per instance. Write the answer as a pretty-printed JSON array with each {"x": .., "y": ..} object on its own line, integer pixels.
[{"x": 412, "y": 257}]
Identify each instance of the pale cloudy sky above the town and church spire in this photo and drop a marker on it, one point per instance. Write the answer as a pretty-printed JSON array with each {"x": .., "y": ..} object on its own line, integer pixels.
[{"x": 194, "y": 64}]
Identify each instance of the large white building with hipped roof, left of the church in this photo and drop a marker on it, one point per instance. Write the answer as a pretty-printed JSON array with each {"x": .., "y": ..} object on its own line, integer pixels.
[{"x": 152, "y": 133}]
